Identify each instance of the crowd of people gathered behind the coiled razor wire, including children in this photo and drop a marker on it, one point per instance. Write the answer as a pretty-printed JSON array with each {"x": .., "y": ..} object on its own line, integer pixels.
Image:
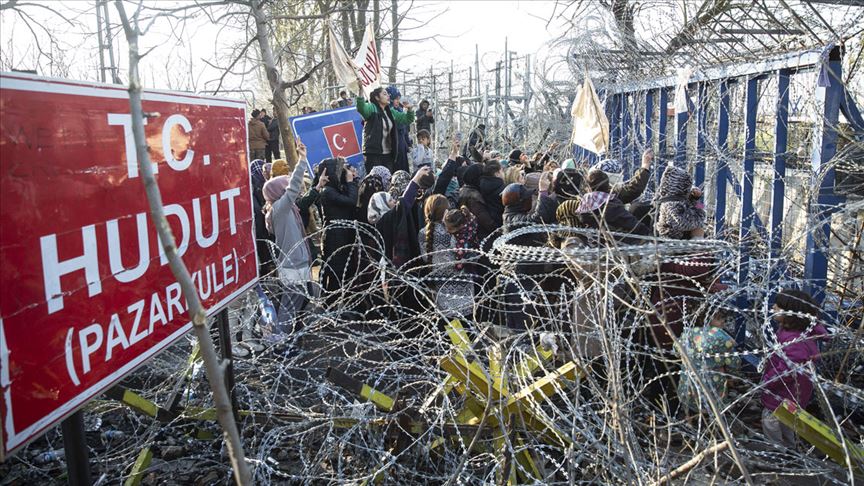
[{"x": 442, "y": 216}]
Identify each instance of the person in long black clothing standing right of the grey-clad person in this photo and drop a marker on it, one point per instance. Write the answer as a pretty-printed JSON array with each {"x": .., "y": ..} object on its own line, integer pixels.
[{"x": 338, "y": 201}]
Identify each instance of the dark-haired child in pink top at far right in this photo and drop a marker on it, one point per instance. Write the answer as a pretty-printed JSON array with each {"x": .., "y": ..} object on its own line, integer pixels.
[{"x": 785, "y": 376}]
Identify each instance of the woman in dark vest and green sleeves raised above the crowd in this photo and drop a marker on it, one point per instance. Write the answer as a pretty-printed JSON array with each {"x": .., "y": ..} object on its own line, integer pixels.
[{"x": 380, "y": 134}]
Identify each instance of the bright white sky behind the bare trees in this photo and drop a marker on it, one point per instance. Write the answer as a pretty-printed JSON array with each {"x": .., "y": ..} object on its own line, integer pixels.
[{"x": 456, "y": 26}]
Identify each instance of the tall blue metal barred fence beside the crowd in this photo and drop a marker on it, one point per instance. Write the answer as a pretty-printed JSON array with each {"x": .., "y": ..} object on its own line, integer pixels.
[{"x": 832, "y": 99}]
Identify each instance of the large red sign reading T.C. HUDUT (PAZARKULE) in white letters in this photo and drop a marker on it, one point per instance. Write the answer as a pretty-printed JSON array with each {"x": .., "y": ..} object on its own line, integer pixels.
[{"x": 86, "y": 294}]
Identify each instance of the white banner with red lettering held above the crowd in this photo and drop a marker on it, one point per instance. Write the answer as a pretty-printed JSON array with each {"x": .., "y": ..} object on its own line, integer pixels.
[{"x": 365, "y": 67}]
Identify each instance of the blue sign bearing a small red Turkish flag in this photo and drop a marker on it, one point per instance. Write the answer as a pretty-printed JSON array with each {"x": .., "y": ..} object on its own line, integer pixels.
[{"x": 331, "y": 133}]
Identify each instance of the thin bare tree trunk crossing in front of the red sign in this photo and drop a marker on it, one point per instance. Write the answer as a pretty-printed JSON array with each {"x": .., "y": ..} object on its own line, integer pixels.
[{"x": 197, "y": 313}]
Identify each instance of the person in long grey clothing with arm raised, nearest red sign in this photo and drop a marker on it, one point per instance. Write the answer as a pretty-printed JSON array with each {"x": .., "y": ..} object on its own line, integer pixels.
[{"x": 283, "y": 220}]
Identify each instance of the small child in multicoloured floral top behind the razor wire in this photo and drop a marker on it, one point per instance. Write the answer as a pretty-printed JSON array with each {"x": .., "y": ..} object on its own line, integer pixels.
[{"x": 703, "y": 344}]
